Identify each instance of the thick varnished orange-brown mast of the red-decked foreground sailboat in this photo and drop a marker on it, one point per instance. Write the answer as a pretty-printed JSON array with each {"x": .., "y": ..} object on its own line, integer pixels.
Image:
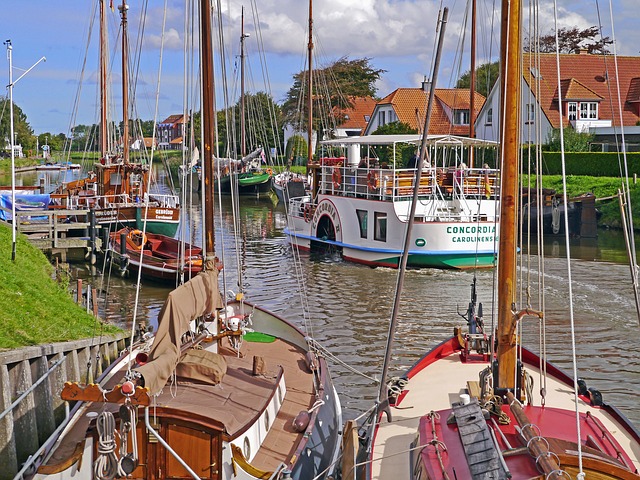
[{"x": 510, "y": 142}]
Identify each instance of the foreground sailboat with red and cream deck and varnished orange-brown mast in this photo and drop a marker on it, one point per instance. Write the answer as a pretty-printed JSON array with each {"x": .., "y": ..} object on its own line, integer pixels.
[{"x": 480, "y": 405}]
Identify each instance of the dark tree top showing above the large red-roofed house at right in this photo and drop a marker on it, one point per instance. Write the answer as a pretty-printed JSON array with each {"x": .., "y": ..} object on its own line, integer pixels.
[{"x": 571, "y": 40}]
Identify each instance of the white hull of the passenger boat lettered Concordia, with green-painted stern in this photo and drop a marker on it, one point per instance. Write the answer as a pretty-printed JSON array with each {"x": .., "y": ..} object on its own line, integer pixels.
[{"x": 337, "y": 223}]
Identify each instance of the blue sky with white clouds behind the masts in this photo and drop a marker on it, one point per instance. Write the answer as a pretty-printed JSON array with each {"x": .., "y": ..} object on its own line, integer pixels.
[{"x": 397, "y": 35}]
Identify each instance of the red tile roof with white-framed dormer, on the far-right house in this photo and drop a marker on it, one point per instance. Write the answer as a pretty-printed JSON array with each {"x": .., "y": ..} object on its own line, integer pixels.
[{"x": 589, "y": 75}]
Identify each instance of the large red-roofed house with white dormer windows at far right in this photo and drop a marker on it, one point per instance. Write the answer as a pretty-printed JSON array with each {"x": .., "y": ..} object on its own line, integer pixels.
[{"x": 586, "y": 99}]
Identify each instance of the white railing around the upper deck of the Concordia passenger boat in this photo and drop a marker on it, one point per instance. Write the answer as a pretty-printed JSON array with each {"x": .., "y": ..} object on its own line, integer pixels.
[{"x": 398, "y": 184}]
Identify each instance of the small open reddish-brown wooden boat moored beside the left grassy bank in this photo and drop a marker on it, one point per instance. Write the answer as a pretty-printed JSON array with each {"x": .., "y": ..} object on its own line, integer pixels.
[{"x": 161, "y": 258}]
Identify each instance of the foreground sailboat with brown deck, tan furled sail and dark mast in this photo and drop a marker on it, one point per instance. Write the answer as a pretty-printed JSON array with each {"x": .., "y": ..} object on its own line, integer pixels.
[{"x": 221, "y": 391}]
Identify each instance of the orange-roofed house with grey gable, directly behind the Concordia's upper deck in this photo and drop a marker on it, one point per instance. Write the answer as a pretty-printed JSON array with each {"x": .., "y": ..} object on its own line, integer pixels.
[{"x": 449, "y": 116}]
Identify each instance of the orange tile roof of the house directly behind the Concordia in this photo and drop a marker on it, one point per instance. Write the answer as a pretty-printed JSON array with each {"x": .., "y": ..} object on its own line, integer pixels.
[{"x": 410, "y": 107}]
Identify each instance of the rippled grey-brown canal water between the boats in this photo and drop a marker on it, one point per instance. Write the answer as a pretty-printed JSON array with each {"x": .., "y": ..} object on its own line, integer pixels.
[{"x": 347, "y": 307}]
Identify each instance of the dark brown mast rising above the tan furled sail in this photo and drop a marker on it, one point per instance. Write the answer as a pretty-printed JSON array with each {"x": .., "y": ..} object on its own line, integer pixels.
[{"x": 207, "y": 118}]
